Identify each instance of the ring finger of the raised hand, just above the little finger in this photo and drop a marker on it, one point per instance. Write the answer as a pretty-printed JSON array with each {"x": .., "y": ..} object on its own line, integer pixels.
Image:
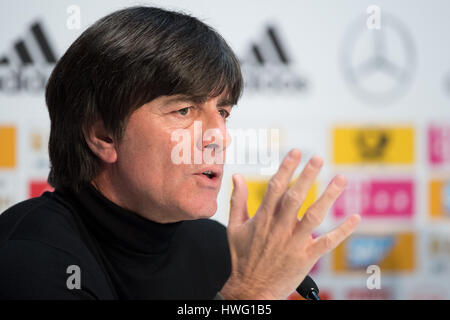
[{"x": 316, "y": 213}]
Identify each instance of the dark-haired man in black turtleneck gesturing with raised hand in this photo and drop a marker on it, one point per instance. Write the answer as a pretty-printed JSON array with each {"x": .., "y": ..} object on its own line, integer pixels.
[{"x": 125, "y": 220}]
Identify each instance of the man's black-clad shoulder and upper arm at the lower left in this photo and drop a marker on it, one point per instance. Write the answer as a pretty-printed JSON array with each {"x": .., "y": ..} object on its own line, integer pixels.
[{"x": 39, "y": 242}]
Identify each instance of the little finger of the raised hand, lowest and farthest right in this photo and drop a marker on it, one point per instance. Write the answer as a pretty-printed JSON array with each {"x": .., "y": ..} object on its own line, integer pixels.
[{"x": 332, "y": 239}]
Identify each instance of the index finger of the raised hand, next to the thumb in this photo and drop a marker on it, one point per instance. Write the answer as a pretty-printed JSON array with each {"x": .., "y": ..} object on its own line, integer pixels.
[{"x": 280, "y": 181}]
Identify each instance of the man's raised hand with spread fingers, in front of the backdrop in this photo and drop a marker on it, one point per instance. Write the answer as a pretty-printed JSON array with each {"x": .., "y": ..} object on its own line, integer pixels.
[{"x": 273, "y": 251}]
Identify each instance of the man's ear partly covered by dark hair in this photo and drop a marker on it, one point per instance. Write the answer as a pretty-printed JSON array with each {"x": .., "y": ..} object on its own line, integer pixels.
[{"x": 100, "y": 142}]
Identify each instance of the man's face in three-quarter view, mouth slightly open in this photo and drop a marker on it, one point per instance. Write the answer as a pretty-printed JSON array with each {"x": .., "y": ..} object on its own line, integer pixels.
[{"x": 148, "y": 172}]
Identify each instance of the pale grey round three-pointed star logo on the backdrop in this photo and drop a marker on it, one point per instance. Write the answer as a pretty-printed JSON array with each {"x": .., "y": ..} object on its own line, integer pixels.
[{"x": 378, "y": 64}]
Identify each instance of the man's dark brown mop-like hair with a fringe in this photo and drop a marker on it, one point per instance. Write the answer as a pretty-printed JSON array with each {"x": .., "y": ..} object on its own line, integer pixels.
[{"x": 121, "y": 62}]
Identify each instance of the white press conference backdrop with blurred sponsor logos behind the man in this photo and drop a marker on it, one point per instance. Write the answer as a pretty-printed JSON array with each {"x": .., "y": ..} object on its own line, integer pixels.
[{"x": 366, "y": 87}]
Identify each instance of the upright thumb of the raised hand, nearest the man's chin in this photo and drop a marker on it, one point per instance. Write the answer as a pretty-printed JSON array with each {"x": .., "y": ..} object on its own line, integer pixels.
[{"x": 238, "y": 202}]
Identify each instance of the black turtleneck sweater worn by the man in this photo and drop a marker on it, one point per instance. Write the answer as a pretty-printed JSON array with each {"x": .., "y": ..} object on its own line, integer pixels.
[{"x": 120, "y": 254}]
